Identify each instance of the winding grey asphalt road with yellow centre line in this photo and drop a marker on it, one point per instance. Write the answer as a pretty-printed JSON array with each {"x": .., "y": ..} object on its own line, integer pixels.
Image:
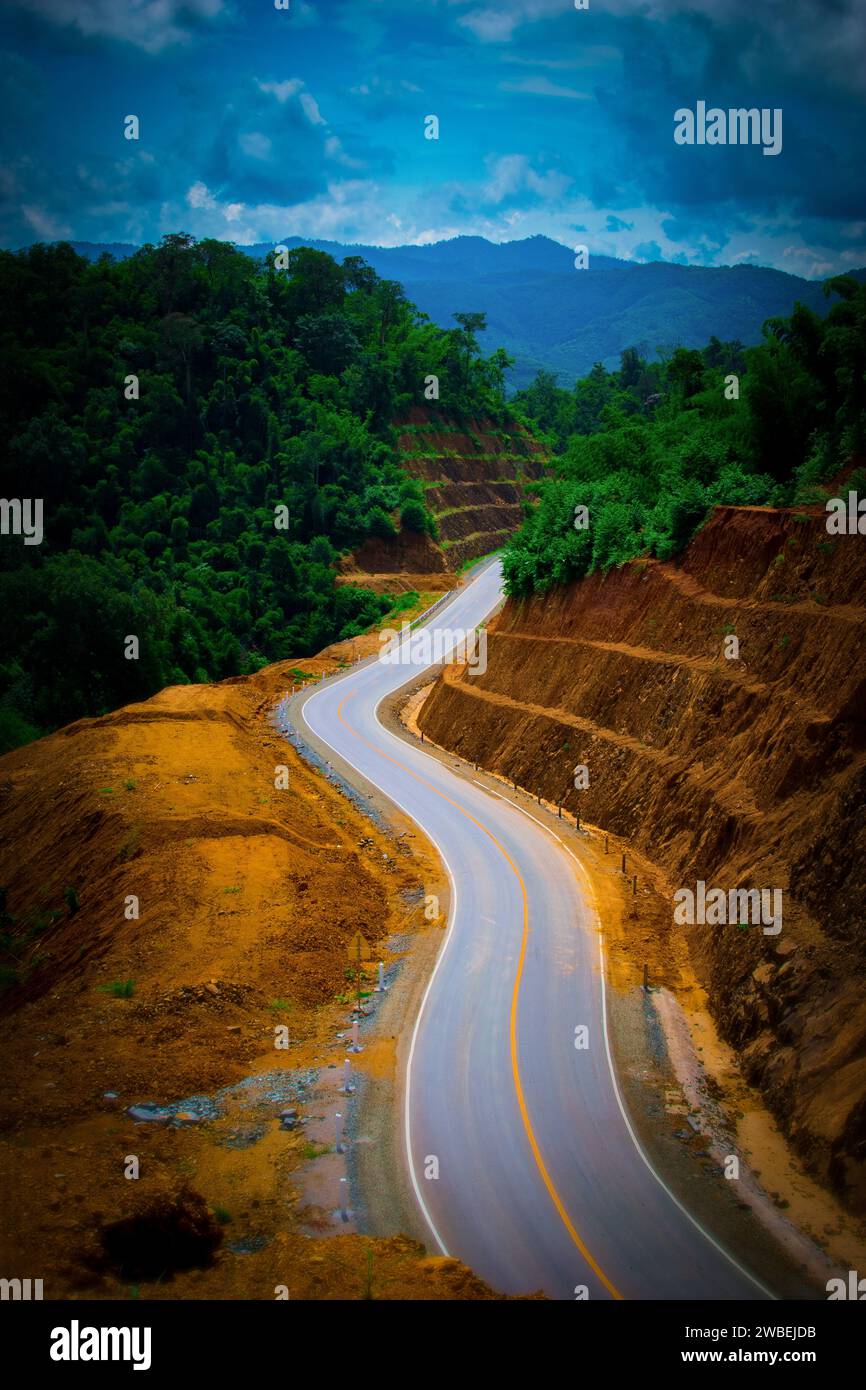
[{"x": 541, "y": 1182}]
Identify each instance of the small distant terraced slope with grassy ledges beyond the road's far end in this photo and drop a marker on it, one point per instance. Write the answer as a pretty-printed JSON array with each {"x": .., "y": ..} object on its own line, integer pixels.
[{"x": 473, "y": 475}]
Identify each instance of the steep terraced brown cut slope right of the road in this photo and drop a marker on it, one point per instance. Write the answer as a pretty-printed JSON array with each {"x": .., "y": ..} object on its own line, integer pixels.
[{"x": 743, "y": 771}]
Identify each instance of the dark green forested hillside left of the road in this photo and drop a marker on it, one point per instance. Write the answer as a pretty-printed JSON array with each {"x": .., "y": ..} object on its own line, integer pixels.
[{"x": 165, "y": 408}]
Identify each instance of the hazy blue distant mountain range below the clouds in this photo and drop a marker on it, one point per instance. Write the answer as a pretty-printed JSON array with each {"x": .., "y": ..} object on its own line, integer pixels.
[{"x": 548, "y": 315}]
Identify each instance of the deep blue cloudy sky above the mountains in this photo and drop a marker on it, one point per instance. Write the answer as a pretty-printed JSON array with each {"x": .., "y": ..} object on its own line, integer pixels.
[{"x": 259, "y": 124}]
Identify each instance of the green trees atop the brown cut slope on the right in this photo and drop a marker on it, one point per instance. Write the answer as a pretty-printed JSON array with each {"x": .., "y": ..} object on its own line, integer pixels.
[{"x": 651, "y": 448}]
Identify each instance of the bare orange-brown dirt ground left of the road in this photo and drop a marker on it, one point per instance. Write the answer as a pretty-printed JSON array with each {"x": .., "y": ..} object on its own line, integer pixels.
[{"x": 169, "y": 908}]
